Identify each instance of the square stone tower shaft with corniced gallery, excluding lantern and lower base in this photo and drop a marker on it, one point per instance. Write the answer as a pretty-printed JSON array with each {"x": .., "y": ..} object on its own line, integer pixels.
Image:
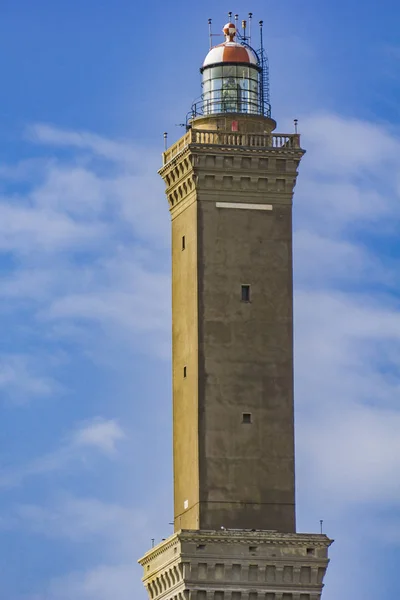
[{"x": 230, "y": 183}]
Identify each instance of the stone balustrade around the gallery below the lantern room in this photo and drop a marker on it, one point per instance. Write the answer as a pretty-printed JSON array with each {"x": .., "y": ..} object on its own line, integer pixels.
[{"x": 224, "y": 138}]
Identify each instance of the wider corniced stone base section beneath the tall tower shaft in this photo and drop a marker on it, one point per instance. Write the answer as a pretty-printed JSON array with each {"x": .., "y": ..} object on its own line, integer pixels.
[{"x": 237, "y": 565}]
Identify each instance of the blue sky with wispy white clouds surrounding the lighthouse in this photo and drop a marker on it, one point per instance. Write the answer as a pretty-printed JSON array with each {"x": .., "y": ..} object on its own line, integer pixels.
[{"x": 88, "y": 88}]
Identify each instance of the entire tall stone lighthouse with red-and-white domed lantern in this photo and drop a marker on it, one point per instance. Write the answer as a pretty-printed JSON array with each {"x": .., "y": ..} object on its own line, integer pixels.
[{"x": 229, "y": 183}]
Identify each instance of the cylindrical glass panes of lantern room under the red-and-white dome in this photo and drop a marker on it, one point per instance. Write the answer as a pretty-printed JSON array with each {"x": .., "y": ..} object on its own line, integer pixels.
[{"x": 231, "y": 88}]
